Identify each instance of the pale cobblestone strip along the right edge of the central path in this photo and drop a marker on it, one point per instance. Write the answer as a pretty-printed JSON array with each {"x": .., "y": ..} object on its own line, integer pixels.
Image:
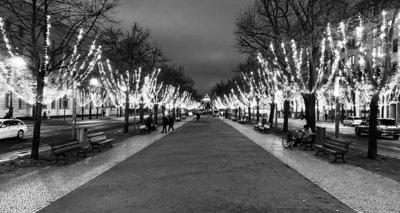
[{"x": 362, "y": 190}]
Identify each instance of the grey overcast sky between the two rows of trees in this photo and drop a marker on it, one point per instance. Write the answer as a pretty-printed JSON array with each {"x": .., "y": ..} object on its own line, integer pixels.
[{"x": 196, "y": 34}]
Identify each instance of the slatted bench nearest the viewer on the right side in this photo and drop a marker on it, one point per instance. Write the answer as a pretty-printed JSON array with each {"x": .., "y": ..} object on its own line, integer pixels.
[{"x": 336, "y": 148}]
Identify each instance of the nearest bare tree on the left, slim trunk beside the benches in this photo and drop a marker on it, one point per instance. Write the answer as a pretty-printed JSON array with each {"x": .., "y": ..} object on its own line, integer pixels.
[{"x": 44, "y": 33}]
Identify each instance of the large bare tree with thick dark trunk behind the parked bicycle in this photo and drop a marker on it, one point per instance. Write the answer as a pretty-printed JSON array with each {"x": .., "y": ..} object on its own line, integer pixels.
[{"x": 273, "y": 21}]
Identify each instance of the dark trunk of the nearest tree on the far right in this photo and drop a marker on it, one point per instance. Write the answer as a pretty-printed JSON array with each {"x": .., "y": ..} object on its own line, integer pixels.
[{"x": 373, "y": 122}]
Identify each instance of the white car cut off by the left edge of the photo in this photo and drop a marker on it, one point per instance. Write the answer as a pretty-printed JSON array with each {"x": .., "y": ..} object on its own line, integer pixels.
[{"x": 10, "y": 128}]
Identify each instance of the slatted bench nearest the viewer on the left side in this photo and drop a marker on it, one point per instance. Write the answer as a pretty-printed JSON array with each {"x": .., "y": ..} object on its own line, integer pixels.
[{"x": 60, "y": 150}]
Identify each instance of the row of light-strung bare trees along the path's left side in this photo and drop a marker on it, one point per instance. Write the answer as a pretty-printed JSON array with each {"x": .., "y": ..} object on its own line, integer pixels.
[{"x": 65, "y": 43}]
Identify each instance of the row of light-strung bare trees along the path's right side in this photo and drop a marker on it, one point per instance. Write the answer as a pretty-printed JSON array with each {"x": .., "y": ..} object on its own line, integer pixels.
[{"x": 303, "y": 46}]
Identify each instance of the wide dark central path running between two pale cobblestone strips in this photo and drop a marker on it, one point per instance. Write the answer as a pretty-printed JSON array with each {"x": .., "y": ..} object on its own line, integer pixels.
[{"x": 203, "y": 167}]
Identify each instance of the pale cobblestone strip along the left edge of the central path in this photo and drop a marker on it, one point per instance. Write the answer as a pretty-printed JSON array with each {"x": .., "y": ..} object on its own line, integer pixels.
[{"x": 31, "y": 192}]
